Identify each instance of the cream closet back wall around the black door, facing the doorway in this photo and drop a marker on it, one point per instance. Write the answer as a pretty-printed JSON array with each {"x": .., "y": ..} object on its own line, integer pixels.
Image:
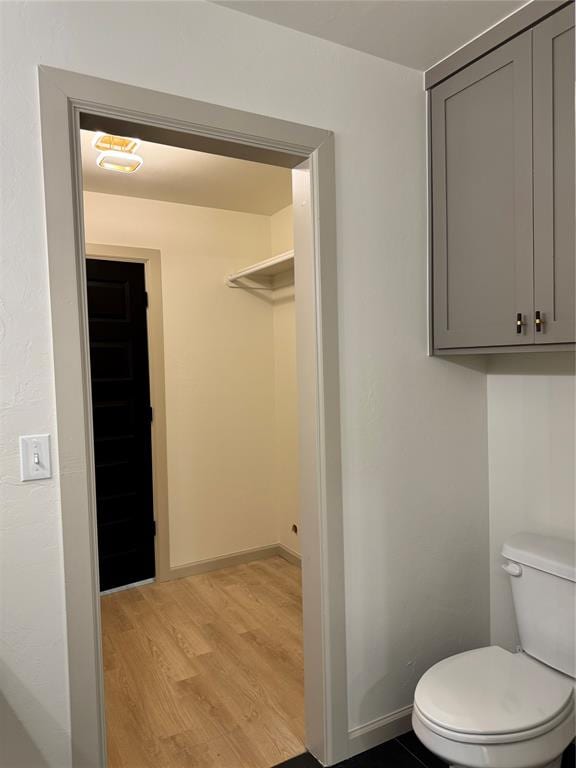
[{"x": 219, "y": 369}]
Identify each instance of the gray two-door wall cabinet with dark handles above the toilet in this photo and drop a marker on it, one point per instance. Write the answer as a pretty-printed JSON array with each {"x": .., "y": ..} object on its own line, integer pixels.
[{"x": 502, "y": 194}]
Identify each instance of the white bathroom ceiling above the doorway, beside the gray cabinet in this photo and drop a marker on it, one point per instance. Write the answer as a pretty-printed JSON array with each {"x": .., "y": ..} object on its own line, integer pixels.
[{"x": 416, "y": 33}]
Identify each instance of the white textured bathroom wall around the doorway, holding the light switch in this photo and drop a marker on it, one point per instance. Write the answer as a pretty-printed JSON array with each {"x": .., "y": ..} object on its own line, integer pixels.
[{"x": 413, "y": 429}]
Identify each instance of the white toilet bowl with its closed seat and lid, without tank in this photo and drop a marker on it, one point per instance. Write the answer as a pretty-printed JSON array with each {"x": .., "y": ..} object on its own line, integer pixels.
[{"x": 490, "y": 708}]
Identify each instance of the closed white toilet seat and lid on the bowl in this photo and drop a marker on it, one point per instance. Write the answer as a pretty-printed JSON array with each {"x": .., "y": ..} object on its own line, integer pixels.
[{"x": 492, "y": 696}]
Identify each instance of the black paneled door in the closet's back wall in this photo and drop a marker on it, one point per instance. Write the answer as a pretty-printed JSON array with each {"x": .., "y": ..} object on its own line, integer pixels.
[{"x": 122, "y": 416}]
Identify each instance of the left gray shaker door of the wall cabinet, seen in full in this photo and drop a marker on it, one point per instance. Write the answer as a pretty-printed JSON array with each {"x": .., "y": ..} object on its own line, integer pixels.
[{"x": 481, "y": 130}]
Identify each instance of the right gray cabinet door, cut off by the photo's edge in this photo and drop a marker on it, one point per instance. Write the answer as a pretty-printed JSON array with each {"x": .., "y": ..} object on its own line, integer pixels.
[{"x": 554, "y": 245}]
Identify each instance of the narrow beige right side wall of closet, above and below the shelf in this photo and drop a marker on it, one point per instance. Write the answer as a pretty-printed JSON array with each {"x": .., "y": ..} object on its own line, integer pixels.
[{"x": 285, "y": 393}]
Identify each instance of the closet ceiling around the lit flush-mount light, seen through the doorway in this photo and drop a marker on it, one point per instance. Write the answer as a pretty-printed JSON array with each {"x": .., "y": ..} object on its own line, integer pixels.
[{"x": 180, "y": 175}]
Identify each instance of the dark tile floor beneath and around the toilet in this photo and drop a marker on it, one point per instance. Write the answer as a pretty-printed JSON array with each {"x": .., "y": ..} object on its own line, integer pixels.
[{"x": 404, "y": 752}]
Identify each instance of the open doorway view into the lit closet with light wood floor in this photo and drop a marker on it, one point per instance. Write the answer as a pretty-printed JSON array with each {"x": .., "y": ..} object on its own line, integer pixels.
[{"x": 208, "y": 659}]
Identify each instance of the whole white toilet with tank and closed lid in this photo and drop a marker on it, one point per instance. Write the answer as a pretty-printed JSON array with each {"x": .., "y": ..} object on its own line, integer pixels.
[{"x": 490, "y": 708}]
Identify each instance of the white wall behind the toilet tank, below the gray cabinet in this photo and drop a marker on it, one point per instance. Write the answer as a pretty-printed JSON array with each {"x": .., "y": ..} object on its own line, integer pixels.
[{"x": 531, "y": 418}]
